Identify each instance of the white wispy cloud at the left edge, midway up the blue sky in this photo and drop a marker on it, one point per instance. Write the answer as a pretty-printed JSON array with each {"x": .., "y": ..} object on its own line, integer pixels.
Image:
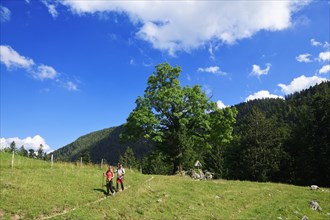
[{"x": 10, "y": 58}]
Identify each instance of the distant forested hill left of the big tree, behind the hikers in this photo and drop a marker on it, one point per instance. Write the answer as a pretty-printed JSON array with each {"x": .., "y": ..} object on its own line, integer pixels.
[{"x": 100, "y": 144}]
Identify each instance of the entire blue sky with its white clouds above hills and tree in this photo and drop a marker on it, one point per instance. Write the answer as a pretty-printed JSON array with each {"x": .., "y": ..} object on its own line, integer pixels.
[{"x": 72, "y": 67}]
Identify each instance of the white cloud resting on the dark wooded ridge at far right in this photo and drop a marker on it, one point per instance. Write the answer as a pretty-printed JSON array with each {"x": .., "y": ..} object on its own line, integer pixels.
[{"x": 300, "y": 83}]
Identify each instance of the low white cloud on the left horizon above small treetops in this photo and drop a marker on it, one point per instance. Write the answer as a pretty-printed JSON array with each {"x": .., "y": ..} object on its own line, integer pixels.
[{"x": 28, "y": 143}]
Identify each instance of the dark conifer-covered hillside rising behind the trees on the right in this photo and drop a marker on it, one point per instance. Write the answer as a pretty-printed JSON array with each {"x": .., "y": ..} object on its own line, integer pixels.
[{"x": 294, "y": 110}]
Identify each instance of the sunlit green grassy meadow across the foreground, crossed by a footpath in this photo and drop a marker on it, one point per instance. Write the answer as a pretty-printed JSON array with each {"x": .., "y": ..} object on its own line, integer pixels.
[{"x": 35, "y": 190}]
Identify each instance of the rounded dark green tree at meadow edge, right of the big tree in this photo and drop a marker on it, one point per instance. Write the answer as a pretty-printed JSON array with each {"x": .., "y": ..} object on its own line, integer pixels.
[{"x": 261, "y": 146}]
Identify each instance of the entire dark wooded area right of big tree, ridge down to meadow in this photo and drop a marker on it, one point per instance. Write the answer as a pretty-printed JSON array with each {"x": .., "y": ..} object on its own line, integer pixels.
[{"x": 290, "y": 143}]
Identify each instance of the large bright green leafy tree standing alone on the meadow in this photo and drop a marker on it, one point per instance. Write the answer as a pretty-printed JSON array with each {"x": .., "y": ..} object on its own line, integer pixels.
[{"x": 181, "y": 121}]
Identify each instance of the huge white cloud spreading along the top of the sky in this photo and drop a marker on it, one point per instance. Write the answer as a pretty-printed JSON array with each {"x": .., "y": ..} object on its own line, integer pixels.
[{"x": 185, "y": 25}]
